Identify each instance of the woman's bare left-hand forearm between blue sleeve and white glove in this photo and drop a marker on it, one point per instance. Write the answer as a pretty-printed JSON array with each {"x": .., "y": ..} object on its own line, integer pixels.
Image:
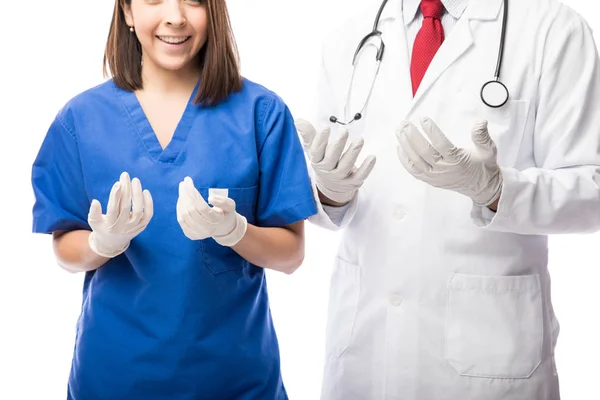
[{"x": 74, "y": 253}]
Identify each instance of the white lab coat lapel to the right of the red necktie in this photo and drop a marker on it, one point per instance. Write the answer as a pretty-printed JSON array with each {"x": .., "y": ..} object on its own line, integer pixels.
[{"x": 457, "y": 43}]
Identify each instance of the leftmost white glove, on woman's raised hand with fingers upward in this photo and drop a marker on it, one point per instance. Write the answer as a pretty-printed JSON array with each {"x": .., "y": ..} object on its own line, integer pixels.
[{"x": 128, "y": 213}]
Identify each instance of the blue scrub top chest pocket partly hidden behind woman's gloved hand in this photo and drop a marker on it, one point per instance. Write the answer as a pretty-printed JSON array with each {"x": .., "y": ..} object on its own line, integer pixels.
[{"x": 218, "y": 259}]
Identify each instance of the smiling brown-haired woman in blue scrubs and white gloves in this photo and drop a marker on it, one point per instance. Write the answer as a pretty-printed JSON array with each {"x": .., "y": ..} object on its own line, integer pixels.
[{"x": 175, "y": 303}]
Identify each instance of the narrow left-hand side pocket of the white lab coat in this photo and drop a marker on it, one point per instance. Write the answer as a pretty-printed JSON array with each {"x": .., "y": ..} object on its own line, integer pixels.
[{"x": 343, "y": 303}]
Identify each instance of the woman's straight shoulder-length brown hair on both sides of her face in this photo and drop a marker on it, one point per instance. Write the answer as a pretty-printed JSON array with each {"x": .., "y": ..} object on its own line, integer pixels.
[{"x": 218, "y": 59}]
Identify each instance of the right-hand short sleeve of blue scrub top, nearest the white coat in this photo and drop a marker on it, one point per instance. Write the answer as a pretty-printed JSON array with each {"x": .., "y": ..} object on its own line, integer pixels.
[{"x": 285, "y": 195}]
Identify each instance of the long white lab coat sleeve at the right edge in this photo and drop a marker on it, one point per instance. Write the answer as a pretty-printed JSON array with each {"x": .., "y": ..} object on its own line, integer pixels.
[{"x": 562, "y": 195}]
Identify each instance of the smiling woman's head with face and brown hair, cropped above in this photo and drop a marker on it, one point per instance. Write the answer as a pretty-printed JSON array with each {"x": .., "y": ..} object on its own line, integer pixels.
[{"x": 138, "y": 33}]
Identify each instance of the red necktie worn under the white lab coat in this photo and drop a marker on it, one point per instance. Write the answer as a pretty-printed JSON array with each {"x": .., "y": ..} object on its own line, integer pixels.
[{"x": 428, "y": 40}]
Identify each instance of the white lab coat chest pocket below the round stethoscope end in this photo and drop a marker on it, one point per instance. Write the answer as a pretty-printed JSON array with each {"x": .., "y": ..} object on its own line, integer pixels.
[{"x": 505, "y": 124}]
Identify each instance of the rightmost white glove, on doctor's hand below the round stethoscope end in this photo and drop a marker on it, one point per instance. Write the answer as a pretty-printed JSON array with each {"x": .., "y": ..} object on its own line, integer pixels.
[{"x": 472, "y": 172}]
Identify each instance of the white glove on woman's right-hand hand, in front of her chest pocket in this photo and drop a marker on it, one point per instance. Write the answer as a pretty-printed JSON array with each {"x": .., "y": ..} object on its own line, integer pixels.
[{"x": 200, "y": 221}]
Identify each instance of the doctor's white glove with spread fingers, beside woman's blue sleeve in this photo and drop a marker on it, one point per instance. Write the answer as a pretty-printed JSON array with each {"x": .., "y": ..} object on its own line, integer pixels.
[{"x": 337, "y": 178}]
